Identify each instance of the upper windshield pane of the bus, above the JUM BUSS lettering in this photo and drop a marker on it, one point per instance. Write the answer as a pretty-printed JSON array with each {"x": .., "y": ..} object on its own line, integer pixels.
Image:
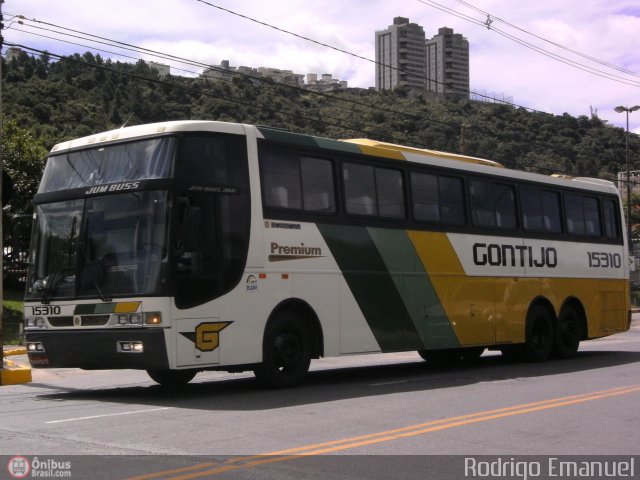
[{"x": 123, "y": 162}]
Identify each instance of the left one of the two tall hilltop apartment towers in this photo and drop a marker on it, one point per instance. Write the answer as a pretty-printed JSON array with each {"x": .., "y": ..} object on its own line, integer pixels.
[{"x": 400, "y": 56}]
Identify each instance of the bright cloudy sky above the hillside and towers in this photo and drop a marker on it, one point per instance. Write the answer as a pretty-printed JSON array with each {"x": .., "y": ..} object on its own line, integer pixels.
[{"x": 597, "y": 68}]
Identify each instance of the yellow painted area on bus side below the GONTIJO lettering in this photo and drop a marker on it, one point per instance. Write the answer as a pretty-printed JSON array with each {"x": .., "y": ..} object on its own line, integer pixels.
[{"x": 485, "y": 310}]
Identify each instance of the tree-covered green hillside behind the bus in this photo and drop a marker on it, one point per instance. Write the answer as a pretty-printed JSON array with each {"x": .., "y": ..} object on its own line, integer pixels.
[{"x": 46, "y": 101}]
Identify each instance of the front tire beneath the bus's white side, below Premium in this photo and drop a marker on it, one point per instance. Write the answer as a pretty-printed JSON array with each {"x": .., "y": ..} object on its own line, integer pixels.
[{"x": 286, "y": 353}]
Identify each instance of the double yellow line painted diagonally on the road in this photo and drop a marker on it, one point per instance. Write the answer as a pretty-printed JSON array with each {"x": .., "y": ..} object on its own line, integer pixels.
[{"x": 394, "y": 434}]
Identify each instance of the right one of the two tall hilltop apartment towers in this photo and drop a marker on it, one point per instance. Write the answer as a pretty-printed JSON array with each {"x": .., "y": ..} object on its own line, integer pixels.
[{"x": 447, "y": 64}]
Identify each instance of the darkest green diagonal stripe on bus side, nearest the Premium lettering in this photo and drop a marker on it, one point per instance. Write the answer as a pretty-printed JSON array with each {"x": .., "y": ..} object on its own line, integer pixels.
[{"x": 372, "y": 287}]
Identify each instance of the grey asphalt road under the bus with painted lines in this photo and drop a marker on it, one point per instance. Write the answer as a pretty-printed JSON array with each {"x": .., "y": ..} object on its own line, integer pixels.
[{"x": 373, "y": 416}]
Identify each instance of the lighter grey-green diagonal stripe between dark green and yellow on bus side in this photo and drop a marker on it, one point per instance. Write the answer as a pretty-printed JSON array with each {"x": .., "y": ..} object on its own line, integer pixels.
[{"x": 415, "y": 288}]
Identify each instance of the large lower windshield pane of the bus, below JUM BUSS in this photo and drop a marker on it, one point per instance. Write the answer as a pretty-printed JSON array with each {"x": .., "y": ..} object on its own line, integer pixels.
[{"x": 100, "y": 246}]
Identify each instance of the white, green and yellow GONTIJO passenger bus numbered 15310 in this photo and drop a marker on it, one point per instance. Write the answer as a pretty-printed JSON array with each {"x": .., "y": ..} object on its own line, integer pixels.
[{"x": 185, "y": 246}]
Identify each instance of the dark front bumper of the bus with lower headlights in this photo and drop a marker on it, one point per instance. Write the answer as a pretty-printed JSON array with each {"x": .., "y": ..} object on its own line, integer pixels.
[{"x": 100, "y": 349}]
